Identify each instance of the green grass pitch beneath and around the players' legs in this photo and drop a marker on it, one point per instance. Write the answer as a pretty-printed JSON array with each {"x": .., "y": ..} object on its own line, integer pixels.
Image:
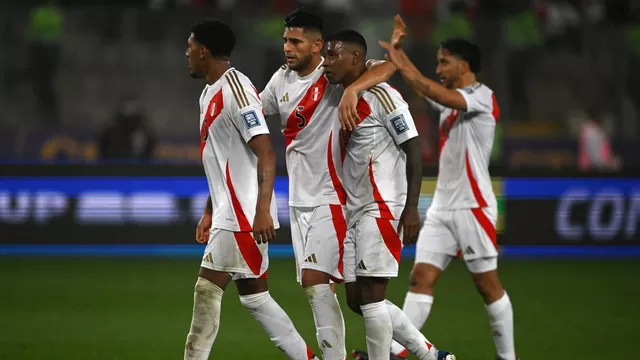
[{"x": 54, "y": 308}]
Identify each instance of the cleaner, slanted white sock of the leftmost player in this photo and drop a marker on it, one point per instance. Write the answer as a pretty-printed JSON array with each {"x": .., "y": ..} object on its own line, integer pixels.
[{"x": 277, "y": 325}]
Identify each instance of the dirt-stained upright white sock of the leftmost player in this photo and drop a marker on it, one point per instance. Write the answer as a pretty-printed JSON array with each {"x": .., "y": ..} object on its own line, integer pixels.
[{"x": 205, "y": 322}]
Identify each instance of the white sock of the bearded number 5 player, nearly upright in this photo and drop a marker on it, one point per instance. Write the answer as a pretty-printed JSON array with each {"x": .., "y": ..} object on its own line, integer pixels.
[{"x": 329, "y": 321}]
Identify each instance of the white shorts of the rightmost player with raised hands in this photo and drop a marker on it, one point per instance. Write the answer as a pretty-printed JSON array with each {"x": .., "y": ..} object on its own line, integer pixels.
[{"x": 470, "y": 233}]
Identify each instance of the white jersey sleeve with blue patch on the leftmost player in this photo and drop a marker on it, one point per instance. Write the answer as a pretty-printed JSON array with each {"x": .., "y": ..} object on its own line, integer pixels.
[{"x": 245, "y": 111}]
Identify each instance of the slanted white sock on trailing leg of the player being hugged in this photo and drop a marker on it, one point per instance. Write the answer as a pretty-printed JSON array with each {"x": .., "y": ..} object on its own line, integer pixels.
[{"x": 409, "y": 336}]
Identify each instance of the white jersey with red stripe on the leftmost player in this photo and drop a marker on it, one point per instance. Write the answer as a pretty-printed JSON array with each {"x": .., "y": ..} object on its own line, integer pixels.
[{"x": 230, "y": 115}]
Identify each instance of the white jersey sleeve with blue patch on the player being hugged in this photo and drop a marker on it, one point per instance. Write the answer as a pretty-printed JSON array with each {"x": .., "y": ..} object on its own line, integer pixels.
[{"x": 393, "y": 112}]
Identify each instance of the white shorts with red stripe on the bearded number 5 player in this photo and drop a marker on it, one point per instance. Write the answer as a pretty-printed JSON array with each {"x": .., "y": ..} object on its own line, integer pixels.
[{"x": 317, "y": 235}]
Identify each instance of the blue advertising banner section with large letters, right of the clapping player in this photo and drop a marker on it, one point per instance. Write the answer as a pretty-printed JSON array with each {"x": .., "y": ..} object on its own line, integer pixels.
[{"x": 588, "y": 211}]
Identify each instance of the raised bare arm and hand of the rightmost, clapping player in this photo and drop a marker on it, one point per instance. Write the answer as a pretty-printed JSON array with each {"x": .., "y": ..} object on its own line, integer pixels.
[{"x": 420, "y": 84}]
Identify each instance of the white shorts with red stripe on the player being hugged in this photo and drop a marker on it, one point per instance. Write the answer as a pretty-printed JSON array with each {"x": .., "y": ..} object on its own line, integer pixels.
[{"x": 372, "y": 249}]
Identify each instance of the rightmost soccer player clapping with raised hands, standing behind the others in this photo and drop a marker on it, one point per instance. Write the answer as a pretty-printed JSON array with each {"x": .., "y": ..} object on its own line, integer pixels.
[{"x": 463, "y": 214}]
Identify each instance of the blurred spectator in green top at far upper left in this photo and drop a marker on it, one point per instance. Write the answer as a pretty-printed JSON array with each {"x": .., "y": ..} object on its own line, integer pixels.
[{"x": 46, "y": 26}]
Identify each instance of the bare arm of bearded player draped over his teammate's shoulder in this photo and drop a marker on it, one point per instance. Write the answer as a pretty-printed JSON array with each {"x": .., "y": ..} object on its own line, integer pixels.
[{"x": 378, "y": 71}]
